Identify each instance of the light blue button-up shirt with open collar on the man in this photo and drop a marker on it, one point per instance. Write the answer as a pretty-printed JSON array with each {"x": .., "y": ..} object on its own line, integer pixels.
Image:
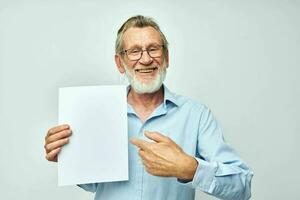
[{"x": 191, "y": 125}]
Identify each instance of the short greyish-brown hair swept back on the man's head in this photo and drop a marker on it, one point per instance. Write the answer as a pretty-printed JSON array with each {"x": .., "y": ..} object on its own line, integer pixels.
[{"x": 139, "y": 21}]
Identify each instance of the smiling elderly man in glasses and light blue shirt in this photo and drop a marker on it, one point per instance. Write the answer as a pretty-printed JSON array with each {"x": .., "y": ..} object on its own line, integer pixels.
[{"x": 177, "y": 145}]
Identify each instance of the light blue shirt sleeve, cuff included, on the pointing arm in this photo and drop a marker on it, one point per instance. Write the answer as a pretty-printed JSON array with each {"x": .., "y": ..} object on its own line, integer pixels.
[{"x": 220, "y": 170}]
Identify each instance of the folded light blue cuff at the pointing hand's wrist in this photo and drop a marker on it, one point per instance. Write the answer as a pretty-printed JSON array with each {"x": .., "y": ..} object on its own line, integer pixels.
[{"x": 204, "y": 176}]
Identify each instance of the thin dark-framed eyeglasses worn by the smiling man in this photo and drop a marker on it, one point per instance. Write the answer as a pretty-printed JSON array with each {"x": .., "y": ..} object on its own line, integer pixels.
[{"x": 134, "y": 54}]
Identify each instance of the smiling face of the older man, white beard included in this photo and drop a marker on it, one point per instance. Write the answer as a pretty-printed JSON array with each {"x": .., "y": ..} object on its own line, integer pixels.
[{"x": 146, "y": 74}]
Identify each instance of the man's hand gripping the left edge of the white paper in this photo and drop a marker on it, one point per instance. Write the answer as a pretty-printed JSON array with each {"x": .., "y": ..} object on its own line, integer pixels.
[{"x": 55, "y": 139}]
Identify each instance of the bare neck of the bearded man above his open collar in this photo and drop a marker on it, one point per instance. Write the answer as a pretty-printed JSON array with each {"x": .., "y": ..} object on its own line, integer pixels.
[{"x": 146, "y": 101}]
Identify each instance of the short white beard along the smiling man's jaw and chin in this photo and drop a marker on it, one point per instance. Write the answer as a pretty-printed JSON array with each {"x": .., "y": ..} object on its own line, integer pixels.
[{"x": 149, "y": 87}]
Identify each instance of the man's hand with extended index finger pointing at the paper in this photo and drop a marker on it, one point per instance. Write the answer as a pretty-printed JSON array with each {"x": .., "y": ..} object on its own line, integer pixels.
[{"x": 164, "y": 157}]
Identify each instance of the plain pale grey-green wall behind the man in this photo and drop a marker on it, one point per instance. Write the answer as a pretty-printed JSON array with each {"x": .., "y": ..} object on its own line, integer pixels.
[{"x": 241, "y": 58}]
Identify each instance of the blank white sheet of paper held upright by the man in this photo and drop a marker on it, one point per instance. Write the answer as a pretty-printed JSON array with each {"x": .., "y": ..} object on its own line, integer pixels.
[{"x": 98, "y": 147}]
